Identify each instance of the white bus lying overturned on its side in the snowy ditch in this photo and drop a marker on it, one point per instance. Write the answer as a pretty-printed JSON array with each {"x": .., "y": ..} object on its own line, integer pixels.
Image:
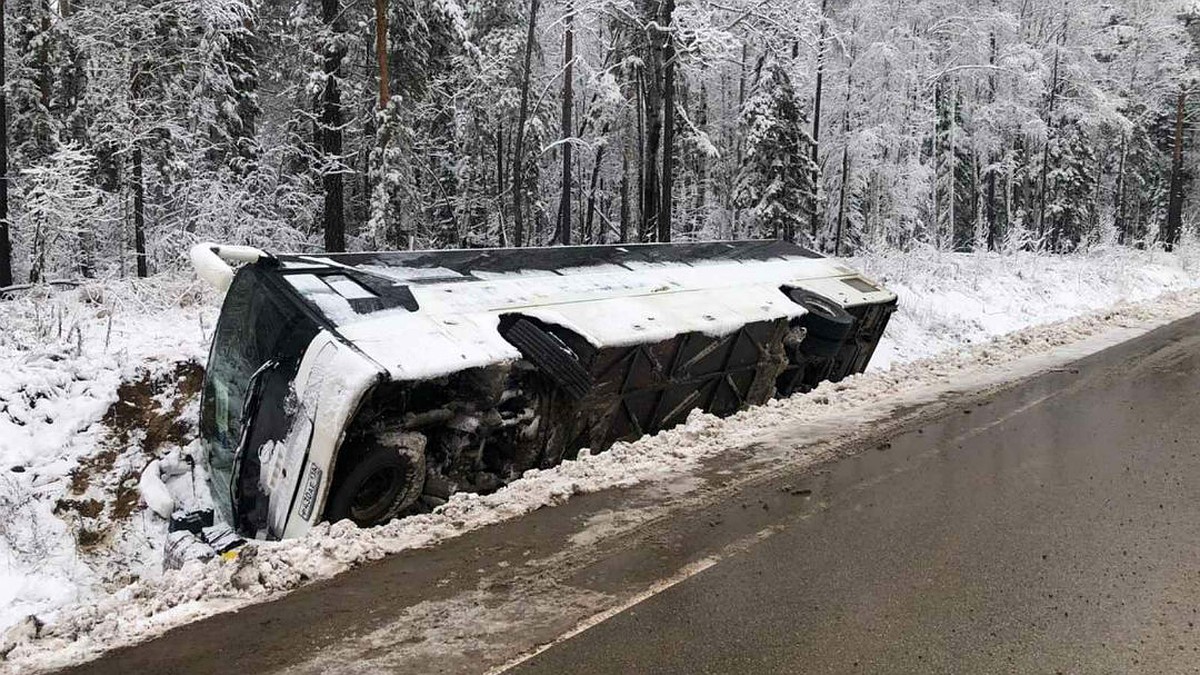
[{"x": 373, "y": 386}]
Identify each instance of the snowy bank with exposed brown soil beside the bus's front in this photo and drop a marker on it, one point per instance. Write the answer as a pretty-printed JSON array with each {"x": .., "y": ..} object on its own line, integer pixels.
[{"x": 71, "y": 452}]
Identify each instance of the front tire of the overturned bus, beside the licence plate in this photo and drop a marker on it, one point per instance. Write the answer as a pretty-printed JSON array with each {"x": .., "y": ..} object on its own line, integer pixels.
[{"x": 382, "y": 481}]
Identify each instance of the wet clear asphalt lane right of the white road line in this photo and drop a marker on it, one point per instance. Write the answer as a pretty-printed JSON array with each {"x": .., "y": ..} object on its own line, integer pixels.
[{"x": 1053, "y": 530}]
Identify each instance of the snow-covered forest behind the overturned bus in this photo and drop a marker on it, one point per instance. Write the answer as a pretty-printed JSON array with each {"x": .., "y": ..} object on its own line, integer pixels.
[{"x": 133, "y": 129}]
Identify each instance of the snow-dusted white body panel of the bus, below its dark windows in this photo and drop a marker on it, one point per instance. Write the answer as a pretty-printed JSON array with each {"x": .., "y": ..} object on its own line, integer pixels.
[{"x": 457, "y": 325}]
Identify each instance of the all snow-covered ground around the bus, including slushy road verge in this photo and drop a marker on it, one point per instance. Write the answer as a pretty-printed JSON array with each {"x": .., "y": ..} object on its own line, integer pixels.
[{"x": 98, "y": 383}]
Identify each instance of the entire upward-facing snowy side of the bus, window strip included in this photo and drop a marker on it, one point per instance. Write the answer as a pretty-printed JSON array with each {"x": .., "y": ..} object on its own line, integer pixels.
[{"x": 617, "y": 296}]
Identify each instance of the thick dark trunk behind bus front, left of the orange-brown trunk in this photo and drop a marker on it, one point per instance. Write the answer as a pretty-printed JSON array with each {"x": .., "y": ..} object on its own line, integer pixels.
[{"x": 332, "y": 130}]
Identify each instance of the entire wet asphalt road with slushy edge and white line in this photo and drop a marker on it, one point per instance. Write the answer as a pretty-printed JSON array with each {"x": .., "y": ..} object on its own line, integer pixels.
[{"x": 1049, "y": 527}]
